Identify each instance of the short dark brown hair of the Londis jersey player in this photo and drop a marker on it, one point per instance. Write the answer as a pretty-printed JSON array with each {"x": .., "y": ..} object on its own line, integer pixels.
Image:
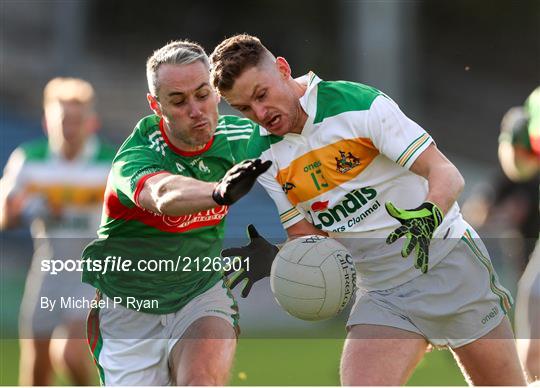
[{"x": 232, "y": 57}]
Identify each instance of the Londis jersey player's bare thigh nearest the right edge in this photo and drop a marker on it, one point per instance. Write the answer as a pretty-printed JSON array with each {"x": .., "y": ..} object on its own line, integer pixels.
[{"x": 492, "y": 359}]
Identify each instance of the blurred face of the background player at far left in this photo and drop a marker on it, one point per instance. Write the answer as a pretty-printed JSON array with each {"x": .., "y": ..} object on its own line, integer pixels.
[{"x": 69, "y": 123}]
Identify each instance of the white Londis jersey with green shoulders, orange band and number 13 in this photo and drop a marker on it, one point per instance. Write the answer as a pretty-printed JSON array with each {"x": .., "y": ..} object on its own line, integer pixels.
[{"x": 353, "y": 155}]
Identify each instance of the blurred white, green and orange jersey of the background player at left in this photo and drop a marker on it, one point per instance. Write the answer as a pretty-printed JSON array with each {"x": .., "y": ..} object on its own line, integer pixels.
[{"x": 71, "y": 190}]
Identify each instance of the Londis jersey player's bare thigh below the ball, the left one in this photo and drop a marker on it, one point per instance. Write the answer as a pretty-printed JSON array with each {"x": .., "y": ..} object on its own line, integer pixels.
[{"x": 380, "y": 355}]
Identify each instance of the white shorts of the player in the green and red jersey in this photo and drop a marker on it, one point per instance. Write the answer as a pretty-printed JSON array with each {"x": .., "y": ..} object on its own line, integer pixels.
[{"x": 132, "y": 348}]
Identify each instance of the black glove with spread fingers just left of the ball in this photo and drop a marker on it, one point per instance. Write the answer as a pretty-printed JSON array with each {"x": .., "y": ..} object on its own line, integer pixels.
[{"x": 261, "y": 255}]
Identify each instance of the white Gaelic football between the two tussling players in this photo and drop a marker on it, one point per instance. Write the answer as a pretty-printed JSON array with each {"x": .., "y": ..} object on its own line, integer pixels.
[{"x": 313, "y": 277}]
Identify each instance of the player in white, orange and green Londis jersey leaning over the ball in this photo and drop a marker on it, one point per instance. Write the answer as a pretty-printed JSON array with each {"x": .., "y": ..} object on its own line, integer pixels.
[{"x": 340, "y": 150}]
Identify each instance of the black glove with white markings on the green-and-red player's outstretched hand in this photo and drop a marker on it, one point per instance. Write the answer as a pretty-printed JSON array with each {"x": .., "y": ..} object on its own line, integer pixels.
[{"x": 239, "y": 180}]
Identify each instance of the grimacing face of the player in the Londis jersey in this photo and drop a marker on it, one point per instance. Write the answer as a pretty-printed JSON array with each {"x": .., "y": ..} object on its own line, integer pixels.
[{"x": 264, "y": 95}]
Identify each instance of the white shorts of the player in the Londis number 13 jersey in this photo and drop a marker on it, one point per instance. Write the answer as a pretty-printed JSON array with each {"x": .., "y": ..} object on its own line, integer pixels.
[{"x": 456, "y": 302}]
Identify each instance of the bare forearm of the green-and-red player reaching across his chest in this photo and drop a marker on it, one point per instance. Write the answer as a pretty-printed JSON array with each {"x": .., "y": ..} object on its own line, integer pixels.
[{"x": 176, "y": 195}]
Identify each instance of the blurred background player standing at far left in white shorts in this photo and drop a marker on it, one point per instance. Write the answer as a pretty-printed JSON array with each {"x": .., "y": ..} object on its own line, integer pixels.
[{"x": 56, "y": 186}]
